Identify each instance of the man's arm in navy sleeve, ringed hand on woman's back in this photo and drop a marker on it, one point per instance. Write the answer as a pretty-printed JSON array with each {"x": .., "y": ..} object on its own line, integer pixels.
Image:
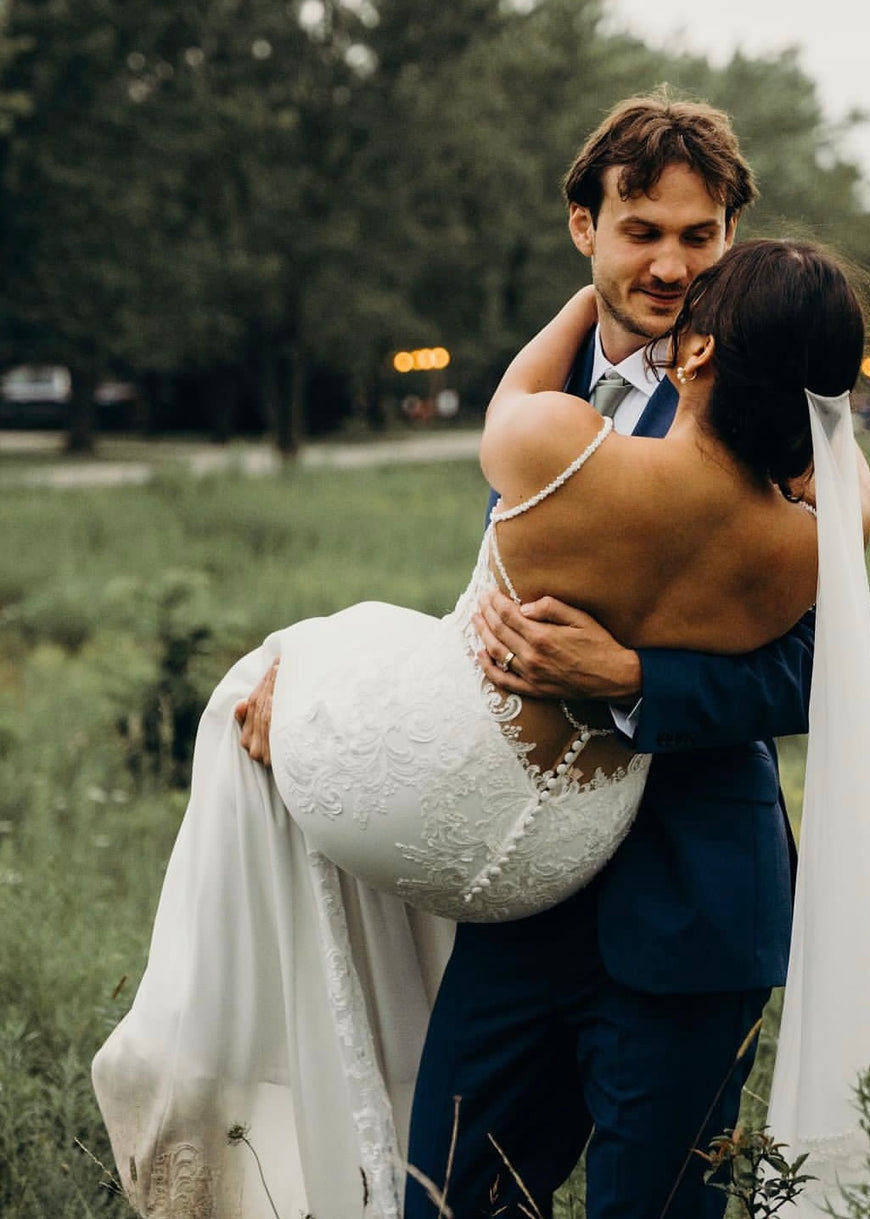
[{"x": 688, "y": 700}]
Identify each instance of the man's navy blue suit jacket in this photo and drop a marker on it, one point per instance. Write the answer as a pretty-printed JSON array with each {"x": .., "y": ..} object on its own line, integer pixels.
[{"x": 698, "y": 899}]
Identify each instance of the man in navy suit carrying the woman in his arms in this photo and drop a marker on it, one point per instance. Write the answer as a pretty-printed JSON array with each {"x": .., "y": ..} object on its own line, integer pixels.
[{"x": 612, "y": 1022}]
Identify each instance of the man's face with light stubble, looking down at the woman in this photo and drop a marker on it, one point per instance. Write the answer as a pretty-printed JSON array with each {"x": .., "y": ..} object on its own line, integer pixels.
[{"x": 646, "y": 251}]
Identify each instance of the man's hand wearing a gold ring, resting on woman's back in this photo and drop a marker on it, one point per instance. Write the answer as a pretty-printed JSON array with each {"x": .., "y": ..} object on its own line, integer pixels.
[{"x": 559, "y": 652}]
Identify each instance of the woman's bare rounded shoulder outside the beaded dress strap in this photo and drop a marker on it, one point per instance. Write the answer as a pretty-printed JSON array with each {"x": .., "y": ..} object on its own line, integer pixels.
[{"x": 532, "y": 438}]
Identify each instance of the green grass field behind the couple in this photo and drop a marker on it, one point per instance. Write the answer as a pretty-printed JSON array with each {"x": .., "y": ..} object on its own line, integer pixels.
[{"x": 120, "y": 610}]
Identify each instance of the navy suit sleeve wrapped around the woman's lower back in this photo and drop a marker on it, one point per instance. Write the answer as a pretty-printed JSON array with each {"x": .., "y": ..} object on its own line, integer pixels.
[{"x": 698, "y": 700}]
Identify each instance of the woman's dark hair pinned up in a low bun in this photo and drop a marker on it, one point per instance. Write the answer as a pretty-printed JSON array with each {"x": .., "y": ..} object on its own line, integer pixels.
[{"x": 784, "y": 319}]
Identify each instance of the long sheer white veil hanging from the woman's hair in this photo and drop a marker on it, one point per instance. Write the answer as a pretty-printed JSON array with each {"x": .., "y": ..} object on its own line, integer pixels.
[{"x": 826, "y": 1036}]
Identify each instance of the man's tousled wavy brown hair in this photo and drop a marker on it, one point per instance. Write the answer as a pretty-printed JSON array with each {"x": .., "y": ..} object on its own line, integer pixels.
[{"x": 646, "y": 135}]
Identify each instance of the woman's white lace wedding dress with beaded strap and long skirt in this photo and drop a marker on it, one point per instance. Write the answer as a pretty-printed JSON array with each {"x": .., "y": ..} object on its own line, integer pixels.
[{"x": 298, "y": 944}]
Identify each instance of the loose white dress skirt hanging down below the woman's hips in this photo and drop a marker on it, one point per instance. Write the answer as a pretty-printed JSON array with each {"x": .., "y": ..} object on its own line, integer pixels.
[{"x": 282, "y": 999}]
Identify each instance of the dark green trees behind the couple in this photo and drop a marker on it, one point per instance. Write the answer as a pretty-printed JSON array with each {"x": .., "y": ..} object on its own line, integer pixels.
[{"x": 256, "y": 202}]
